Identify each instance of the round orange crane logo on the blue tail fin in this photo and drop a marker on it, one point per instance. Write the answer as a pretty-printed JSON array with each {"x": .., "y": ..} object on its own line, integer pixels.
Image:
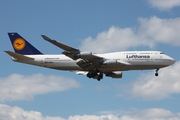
[{"x": 19, "y": 44}]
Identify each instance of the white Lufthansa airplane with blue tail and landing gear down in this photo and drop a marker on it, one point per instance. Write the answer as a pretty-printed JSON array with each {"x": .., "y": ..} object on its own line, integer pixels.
[{"x": 92, "y": 65}]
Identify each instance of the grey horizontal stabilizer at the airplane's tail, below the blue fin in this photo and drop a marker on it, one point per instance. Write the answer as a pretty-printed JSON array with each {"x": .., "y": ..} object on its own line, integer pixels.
[{"x": 18, "y": 56}]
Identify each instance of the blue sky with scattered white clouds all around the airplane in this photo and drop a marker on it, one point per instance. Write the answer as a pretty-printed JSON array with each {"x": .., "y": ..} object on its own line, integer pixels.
[{"x": 30, "y": 92}]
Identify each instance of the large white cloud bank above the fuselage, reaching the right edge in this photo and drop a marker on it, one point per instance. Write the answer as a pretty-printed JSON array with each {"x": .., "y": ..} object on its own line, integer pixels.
[{"x": 149, "y": 33}]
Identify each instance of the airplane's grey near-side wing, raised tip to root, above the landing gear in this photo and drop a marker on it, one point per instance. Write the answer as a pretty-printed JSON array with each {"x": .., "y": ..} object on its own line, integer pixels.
[{"x": 86, "y": 60}]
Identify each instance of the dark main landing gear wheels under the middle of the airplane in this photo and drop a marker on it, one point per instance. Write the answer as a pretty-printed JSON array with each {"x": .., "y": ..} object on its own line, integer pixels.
[{"x": 95, "y": 74}]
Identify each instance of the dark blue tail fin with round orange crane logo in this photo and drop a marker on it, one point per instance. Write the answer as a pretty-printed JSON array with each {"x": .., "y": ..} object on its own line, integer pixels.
[{"x": 22, "y": 46}]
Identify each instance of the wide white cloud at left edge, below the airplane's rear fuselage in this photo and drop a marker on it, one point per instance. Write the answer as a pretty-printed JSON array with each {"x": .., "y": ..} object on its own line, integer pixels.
[{"x": 20, "y": 87}]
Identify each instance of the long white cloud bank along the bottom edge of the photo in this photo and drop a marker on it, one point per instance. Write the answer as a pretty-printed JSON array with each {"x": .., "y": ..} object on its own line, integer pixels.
[{"x": 17, "y": 113}]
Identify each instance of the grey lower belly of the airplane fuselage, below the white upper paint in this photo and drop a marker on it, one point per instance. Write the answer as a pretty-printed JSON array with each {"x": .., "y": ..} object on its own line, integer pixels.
[{"x": 71, "y": 65}]
